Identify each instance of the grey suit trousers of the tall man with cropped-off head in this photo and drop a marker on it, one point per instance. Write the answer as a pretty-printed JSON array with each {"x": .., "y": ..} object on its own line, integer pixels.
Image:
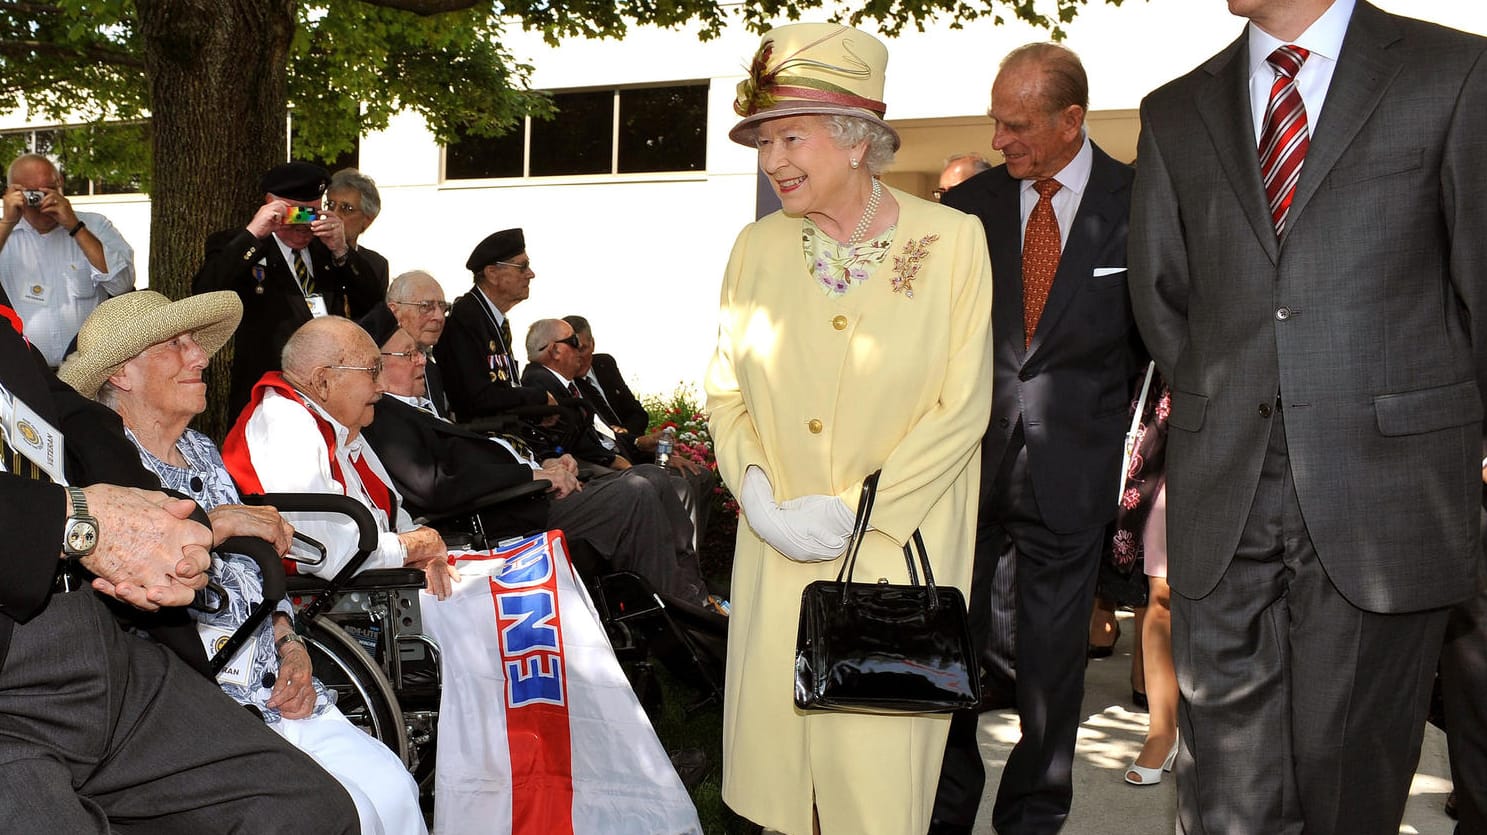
[{"x": 1300, "y": 712}]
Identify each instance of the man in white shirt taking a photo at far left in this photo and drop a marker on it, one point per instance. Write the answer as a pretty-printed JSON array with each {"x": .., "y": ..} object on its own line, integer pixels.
[{"x": 57, "y": 265}]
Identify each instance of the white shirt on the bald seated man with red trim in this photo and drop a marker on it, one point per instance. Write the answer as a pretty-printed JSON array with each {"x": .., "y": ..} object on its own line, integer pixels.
[{"x": 291, "y": 457}]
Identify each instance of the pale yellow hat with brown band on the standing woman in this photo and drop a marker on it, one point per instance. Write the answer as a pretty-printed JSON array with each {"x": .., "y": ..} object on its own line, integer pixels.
[{"x": 813, "y": 69}]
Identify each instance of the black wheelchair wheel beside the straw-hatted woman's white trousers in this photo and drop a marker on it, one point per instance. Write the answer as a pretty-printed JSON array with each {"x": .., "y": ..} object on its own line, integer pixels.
[{"x": 362, "y": 692}]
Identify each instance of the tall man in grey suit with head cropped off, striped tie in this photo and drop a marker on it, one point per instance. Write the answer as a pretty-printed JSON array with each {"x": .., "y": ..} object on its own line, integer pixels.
[{"x": 1318, "y": 307}]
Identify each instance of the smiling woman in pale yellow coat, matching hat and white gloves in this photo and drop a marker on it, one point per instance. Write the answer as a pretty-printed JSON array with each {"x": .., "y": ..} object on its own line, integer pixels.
[{"x": 853, "y": 339}]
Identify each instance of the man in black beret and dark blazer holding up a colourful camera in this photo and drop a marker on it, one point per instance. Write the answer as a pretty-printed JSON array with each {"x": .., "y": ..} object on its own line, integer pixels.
[{"x": 289, "y": 265}]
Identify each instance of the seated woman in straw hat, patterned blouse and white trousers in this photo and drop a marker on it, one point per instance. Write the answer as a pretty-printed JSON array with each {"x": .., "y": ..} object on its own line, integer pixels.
[{"x": 142, "y": 356}]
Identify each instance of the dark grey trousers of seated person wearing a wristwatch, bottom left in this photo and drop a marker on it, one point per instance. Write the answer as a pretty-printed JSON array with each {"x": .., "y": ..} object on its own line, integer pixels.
[{"x": 103, "y": 732}]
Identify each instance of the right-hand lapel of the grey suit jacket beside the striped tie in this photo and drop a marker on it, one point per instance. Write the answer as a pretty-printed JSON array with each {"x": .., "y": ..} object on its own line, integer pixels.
[{"x": 1364, "y": 72}]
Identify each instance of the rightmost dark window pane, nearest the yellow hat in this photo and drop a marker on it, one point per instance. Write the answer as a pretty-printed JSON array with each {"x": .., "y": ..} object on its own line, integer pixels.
[{"x": 664, "y": 130}]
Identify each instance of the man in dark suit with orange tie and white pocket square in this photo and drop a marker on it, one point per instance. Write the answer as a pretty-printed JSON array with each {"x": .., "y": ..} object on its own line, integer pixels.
[{"x": 1067, "y": 353}]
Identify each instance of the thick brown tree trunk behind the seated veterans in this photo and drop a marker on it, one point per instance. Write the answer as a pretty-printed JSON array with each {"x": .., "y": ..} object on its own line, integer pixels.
[{"x": 219, "y": 118}]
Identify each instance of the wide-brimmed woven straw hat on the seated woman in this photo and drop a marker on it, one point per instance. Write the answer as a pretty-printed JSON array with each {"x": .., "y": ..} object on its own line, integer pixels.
[{"x": 124, "y": 326}]
